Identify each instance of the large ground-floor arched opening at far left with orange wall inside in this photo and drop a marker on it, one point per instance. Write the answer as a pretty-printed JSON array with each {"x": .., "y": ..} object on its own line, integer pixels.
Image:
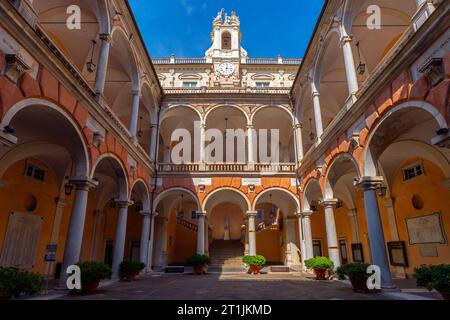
[{"x": 49, "y": 148}]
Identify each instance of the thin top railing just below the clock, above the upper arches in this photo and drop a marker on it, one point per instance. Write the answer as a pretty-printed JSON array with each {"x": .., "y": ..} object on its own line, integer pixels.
[{"x": 199, "y": 90}]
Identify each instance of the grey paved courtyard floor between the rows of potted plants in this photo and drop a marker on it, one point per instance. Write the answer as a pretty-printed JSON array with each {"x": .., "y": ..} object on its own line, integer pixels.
[{"x": 293, "y": 286}]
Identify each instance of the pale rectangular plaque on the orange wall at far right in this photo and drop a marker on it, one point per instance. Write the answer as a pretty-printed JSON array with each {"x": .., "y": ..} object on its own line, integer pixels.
[{"x": 426, "y": 229}]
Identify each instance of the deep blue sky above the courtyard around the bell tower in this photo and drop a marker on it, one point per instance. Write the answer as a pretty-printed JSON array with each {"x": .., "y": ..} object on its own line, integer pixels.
[{"x": 269, "y": 27}]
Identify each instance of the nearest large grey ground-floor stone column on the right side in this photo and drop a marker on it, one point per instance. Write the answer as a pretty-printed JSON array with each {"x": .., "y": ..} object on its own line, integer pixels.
[{"x": 375, "y": 228}]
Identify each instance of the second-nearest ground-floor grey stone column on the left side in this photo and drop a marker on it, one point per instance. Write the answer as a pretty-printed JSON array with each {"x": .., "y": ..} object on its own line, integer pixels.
[{"x": 119, "y": 243}]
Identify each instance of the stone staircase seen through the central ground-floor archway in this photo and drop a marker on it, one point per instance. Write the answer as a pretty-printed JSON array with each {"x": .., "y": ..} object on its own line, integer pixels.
[{"x": 226, "y": 256}]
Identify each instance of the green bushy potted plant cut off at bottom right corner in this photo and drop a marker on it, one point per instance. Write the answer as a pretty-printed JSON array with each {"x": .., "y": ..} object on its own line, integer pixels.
[{"x": 434, "y": 277}]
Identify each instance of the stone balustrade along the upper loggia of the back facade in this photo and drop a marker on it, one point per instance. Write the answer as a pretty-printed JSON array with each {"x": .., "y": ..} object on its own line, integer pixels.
[{"x": 270, "y": 169}]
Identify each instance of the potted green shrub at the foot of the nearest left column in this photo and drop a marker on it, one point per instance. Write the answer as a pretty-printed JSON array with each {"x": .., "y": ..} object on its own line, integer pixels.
[{"x": 91, "y": 274}]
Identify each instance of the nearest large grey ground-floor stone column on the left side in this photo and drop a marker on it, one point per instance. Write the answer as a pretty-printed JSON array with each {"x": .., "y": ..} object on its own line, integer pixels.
[{"x": 74, "y": 237}]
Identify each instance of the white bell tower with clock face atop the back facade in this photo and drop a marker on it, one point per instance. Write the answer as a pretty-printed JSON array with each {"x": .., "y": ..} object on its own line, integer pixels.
[{"x": 226, "y": 52}]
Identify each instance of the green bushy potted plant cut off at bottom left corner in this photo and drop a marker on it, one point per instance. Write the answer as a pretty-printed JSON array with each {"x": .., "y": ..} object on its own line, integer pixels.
[{"x": 15, "y": 281}]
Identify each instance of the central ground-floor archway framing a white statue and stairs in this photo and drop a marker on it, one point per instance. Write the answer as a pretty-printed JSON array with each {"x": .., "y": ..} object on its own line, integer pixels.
[{"x": 226, "y": 233}]
